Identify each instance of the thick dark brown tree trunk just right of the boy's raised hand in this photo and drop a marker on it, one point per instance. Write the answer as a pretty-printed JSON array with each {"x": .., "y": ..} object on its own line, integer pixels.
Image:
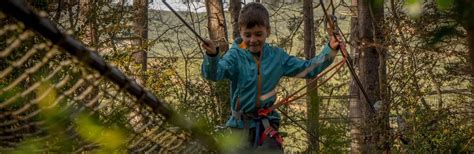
[{"x": 370, "y": 32}]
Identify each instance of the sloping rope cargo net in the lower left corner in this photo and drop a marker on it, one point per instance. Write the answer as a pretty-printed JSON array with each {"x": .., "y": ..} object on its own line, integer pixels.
[{"x": 51, "y": 101}]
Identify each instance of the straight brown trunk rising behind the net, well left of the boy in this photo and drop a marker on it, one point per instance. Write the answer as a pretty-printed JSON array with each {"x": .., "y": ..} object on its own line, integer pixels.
[{"x": 140, "y": 29}]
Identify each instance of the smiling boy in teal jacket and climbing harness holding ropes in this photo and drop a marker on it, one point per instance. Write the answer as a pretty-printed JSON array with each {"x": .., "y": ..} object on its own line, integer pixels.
[{"x": 254, "y": 69}]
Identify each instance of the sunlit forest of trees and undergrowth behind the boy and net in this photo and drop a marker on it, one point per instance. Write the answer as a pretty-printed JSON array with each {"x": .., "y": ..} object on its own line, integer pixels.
[{"x": 414, "y": 59}]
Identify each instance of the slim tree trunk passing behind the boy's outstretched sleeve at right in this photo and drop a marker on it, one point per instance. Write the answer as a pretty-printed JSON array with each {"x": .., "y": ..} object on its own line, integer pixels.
[{"x": 312, "y": 99}]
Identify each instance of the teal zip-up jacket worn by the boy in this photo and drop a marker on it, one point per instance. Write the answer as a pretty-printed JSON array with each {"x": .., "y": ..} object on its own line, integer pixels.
[{"x": 240, "y": 67}]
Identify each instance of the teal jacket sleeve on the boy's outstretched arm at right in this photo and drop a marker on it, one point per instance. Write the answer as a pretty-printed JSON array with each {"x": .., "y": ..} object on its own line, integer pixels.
[{"x": 295, "y": 67}]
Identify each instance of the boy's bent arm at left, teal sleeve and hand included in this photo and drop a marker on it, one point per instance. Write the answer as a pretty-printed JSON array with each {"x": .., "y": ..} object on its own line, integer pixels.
[{"x": 213, "y": 66}]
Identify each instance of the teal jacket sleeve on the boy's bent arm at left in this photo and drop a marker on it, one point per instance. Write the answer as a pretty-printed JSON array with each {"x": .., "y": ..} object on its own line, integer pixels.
[{"x": 217, "y": 68}]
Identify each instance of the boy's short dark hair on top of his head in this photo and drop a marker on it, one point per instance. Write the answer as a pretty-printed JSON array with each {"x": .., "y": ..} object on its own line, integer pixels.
[{"x": 254, "y": 14}]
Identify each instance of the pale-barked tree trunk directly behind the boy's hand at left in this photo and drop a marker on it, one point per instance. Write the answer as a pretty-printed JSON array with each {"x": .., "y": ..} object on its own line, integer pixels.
[{"x": 217, "y": 33}]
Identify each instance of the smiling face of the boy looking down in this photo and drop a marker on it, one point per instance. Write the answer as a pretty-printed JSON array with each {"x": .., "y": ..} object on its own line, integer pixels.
[{"x": 254, "y": 37}]
